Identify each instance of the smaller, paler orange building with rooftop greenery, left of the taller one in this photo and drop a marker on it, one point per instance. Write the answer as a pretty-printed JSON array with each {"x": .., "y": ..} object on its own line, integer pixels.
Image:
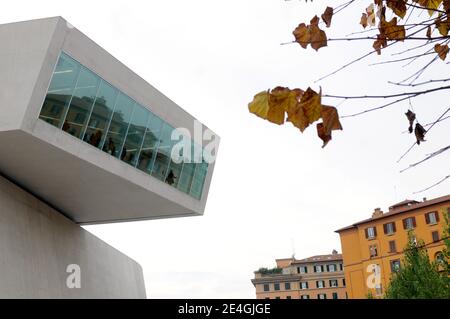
[{"x": 316, "y": 277}]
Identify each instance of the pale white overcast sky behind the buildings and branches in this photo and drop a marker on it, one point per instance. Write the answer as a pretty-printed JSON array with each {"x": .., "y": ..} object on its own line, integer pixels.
[{"x": 274, "y": 191}]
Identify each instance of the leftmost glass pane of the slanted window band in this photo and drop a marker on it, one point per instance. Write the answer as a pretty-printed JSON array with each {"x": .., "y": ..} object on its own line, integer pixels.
[{"x": 60, "y": 91}]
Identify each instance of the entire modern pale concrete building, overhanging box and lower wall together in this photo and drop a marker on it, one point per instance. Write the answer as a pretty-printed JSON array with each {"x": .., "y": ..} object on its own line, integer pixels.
[{"x": 83, "y": 136}]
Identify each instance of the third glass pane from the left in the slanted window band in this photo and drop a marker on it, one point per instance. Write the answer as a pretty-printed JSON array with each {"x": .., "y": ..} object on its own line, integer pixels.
[{"x": 101, "y": 114}]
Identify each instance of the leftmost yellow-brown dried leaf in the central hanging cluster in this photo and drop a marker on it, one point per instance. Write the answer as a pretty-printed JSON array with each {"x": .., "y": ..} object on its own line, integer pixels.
[{"x": 260, "y": 107}]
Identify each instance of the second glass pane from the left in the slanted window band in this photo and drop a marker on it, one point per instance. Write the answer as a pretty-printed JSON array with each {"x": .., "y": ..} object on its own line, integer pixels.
[{"x": 81, "y": 103}]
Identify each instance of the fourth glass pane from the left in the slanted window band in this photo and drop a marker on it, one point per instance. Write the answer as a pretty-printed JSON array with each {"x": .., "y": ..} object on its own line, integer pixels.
[{"x": 119, "y": 125}]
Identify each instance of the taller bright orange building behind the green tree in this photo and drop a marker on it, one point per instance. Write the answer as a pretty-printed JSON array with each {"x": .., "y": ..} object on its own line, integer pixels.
[{"x": 372, "y": 248}]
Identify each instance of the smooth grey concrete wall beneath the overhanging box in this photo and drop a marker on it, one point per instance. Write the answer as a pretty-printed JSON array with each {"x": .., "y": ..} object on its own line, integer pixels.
[{"x": 37, "y": 244}]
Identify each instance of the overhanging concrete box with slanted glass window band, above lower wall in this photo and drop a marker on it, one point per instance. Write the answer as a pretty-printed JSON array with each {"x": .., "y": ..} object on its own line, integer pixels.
[{"x": 86, "y": 134}]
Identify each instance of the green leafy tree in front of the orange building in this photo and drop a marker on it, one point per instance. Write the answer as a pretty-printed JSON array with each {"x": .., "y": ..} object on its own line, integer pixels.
[{"x": 418, "y": 278}]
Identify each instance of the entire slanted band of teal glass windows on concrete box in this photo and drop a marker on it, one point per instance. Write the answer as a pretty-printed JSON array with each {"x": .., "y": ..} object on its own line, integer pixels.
[{"x": 84, "y": 105}]
